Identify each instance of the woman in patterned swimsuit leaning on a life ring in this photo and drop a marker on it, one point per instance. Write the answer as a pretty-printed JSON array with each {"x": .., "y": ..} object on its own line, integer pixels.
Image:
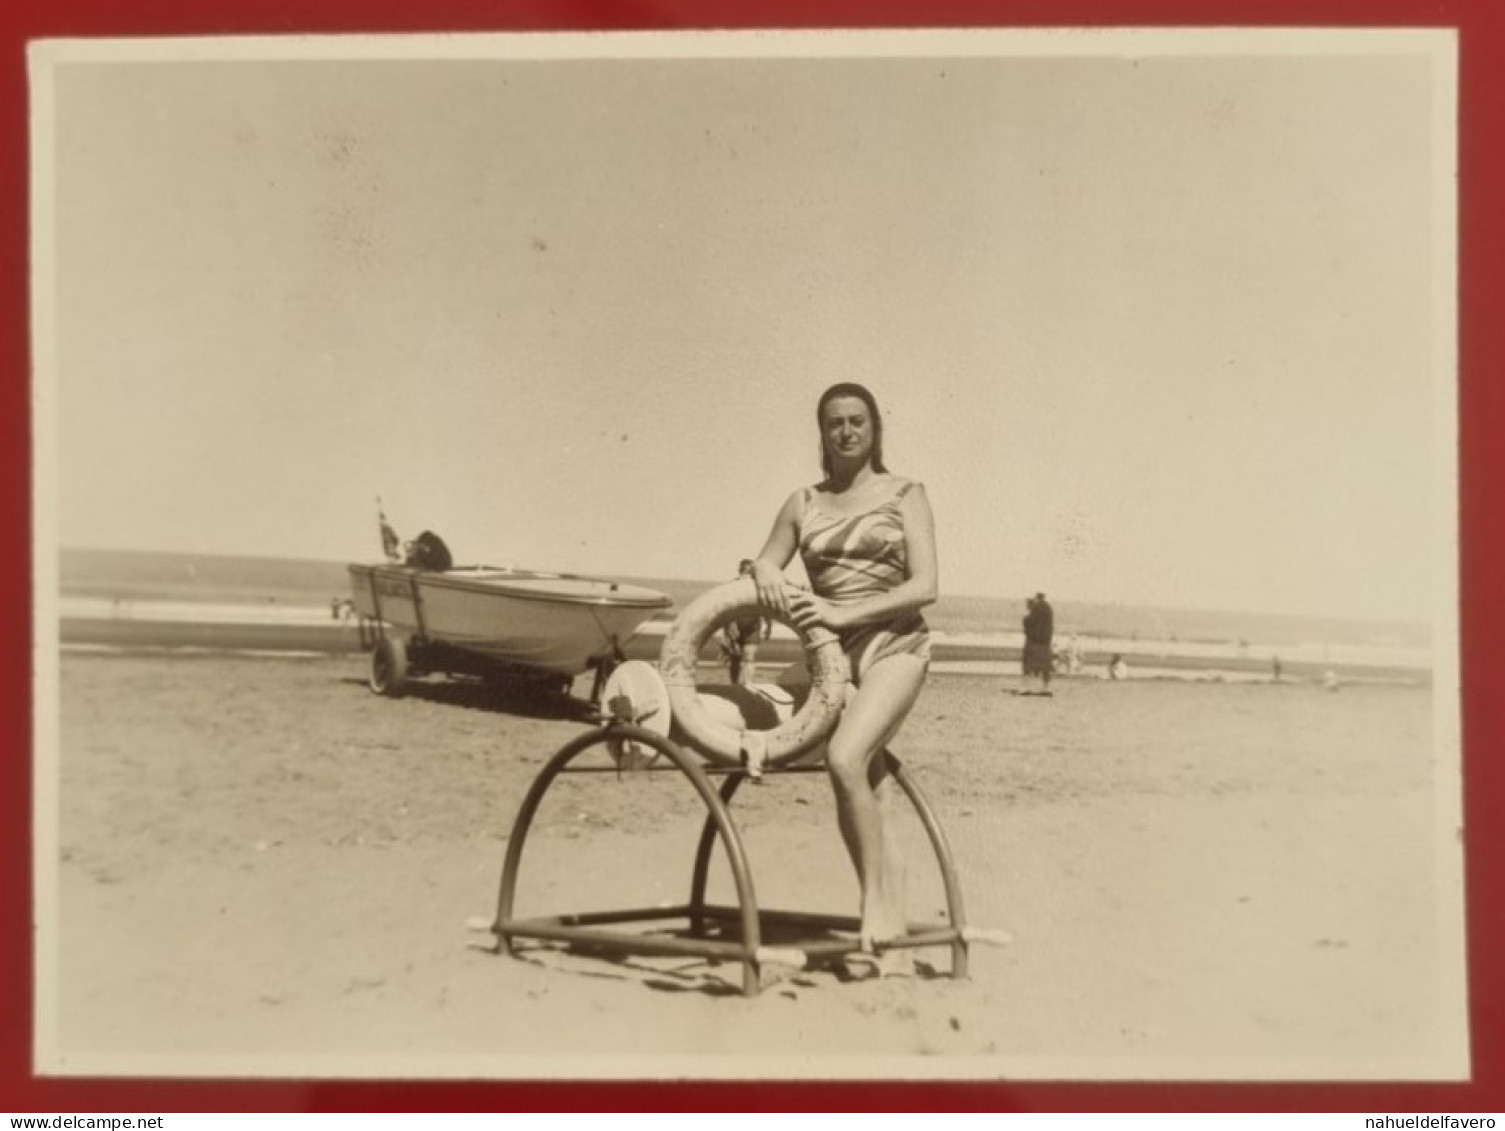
[{"x": 868, "y": 543}]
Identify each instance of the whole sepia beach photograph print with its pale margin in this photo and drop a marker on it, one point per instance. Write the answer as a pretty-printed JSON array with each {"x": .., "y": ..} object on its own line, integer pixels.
[{"x": 893, "y": 555}]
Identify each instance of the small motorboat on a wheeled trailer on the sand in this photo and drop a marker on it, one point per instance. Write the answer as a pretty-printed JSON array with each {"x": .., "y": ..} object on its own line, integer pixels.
[{"x": 493, "y": 621}]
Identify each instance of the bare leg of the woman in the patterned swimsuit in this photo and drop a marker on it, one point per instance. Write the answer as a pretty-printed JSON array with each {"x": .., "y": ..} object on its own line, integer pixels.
[{"x": 871, "y": 721}]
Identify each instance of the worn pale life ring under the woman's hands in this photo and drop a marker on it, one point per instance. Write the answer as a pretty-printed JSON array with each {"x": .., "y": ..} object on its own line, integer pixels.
[{"x": 810, "y": 727}]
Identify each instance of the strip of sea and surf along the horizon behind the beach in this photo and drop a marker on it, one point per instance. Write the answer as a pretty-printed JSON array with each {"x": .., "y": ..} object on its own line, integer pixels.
[{"x": 111, "y": 585}]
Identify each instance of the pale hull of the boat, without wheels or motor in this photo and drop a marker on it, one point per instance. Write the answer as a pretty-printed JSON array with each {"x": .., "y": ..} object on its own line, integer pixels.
[{"x": 547, "y": 623}]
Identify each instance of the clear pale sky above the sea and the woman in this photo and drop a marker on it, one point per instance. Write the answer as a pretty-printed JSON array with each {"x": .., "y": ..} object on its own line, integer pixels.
[{"x": 1151, "y": 328}]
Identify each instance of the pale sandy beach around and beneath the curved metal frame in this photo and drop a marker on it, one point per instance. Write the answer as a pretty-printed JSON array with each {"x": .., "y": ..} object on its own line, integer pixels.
[{"x": 266, "y": 870}]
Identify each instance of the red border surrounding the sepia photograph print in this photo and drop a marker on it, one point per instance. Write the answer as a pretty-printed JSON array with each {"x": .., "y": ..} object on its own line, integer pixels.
[{"x": 1482, "y": 28}]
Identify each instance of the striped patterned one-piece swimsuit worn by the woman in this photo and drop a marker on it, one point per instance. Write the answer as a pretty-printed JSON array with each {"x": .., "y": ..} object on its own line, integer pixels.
[{"x": 853, "y": 558}]
